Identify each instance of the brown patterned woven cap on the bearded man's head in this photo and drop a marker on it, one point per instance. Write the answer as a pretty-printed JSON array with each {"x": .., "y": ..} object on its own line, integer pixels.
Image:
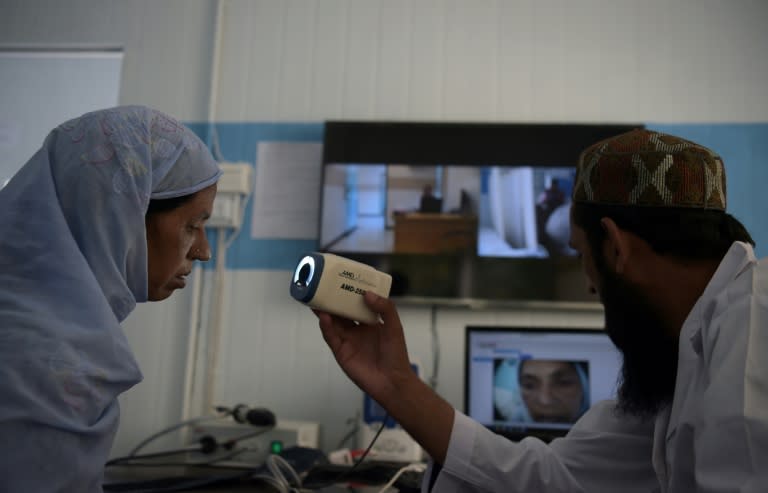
[{"x": 647, "y": 168}]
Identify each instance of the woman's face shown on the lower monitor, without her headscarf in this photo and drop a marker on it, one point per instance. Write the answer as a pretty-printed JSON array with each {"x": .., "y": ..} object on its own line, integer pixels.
[{"x": 551, "y": 390}]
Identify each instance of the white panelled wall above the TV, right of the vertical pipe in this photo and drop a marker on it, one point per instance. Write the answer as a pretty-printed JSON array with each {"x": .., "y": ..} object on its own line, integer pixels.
[{"x": 513, "y": 60}]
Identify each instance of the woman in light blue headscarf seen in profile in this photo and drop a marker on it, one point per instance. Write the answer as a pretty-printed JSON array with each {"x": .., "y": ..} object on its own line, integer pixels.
[{"x": 110, "y": 212}]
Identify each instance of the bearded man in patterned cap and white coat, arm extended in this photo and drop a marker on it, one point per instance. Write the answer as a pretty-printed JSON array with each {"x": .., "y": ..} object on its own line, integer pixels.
[{"x": 686, "y": 303}]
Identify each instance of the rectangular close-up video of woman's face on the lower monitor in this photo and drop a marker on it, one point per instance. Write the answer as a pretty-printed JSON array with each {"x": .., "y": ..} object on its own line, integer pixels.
[{"x": 540, "y": 390}]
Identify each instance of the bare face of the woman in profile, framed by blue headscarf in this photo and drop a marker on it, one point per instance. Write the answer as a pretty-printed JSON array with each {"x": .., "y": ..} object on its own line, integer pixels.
[{"x": 175, "y": 239}]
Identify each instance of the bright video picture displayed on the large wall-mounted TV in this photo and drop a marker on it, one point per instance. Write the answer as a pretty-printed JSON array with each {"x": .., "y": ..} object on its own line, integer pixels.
[{"x": 488, "y": 211}]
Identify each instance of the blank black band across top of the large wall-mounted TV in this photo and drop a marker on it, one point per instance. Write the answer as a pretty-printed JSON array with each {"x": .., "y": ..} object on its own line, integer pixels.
[{"x": 446, "y": 143}]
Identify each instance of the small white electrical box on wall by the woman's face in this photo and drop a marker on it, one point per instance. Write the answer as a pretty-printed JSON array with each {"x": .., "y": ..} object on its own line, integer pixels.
[{"x": 234, "y": 186}]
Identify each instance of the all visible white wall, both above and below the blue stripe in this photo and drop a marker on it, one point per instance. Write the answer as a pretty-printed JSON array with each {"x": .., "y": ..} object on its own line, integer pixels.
[{"x": 448, "y": 60}]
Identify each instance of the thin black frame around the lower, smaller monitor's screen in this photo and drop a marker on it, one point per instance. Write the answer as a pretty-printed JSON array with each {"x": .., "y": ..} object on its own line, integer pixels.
[{"x": 546, "y": 434}]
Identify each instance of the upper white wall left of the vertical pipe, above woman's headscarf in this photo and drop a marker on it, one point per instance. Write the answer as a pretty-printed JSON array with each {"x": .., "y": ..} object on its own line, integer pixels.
[{"x": 167, "y": 44}]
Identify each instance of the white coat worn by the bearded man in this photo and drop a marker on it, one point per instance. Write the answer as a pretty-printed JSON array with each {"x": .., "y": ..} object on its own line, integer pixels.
[{"x": 714, "y": 437}]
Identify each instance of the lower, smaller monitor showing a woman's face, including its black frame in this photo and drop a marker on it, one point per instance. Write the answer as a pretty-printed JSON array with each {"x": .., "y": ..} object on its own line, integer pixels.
[{"x": 536, "y": 381}]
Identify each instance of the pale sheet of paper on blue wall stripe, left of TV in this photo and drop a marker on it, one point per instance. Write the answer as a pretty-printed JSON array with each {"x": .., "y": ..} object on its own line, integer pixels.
[{"x": 286, "y": 192}]
